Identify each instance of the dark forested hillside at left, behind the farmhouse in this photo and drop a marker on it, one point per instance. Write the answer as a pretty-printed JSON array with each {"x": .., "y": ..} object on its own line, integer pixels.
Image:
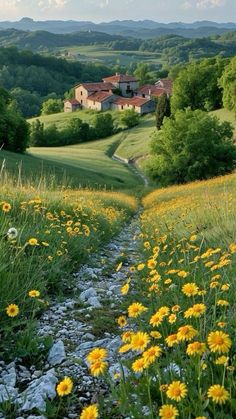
[{"x": 32, "y": 78}]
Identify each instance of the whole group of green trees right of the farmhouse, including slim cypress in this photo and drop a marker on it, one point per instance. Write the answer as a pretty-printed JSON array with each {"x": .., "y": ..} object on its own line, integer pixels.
[{"x": 191, "y": 143}]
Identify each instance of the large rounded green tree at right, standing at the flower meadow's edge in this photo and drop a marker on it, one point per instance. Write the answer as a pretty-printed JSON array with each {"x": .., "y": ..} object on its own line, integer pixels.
[{"x": 190, "y": 146}]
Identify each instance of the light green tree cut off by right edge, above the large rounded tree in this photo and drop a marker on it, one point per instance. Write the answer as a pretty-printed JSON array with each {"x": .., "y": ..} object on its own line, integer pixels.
[{"x": 228, "y": 83}]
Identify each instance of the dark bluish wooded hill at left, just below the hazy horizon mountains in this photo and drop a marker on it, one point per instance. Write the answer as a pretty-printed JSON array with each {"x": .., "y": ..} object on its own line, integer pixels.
[{"x": 37, "y": 40}]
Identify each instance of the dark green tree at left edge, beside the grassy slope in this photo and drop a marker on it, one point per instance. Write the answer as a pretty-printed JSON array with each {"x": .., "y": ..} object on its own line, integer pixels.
[{"x": 14, "y": 130}]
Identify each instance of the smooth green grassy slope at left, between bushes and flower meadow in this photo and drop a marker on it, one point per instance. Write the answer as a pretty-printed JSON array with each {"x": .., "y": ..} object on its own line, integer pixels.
[{"x": 86, "y": 164}]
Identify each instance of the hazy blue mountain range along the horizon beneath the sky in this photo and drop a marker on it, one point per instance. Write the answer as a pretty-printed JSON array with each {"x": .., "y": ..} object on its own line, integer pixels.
[{"x": 140, "y": 29}]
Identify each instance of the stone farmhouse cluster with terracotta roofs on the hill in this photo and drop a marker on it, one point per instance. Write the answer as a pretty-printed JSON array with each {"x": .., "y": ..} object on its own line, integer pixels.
[{"x": 119, "y": 92}]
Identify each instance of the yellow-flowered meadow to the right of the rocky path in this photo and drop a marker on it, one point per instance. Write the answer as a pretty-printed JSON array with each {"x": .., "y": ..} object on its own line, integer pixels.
[{"x": 178, "y": 329}]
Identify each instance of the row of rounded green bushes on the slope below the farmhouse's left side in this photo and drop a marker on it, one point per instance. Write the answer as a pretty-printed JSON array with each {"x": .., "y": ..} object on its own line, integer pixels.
[{"x": 75, "y": 132}]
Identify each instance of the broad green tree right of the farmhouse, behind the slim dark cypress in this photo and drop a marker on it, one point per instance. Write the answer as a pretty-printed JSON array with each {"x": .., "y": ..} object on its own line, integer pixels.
[{"x": 196, "y": 86}]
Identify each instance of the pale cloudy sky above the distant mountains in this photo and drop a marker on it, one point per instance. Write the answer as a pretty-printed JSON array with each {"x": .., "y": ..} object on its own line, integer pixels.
[{"x": 107, "y": 10}]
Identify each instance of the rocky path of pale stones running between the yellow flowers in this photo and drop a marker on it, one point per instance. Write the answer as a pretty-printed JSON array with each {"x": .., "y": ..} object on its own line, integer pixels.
[{"x": 79, "y": 322}]
